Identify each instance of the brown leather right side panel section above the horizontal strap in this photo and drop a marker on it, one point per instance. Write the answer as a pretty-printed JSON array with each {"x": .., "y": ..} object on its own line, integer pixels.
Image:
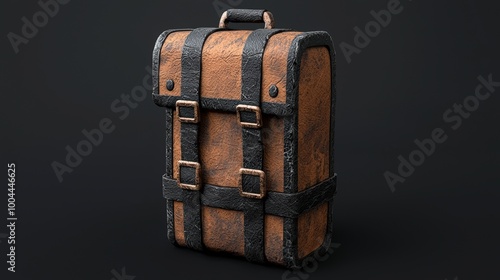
[{"x": 314, "y": 105}]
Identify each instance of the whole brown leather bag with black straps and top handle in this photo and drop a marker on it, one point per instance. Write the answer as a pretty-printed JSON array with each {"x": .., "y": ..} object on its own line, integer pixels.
[{"x": 249, "y": 138}]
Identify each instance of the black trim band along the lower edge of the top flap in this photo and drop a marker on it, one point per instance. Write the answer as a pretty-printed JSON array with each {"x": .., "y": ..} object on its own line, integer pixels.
[{"x": 226, "y": 105}]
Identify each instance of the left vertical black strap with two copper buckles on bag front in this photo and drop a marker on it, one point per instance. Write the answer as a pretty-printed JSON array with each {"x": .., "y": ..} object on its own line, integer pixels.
[{"x": 188, "y": 112}]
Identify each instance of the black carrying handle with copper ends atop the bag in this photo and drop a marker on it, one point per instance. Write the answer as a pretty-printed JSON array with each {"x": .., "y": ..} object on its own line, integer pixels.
[{"x": 244, "y": 15}]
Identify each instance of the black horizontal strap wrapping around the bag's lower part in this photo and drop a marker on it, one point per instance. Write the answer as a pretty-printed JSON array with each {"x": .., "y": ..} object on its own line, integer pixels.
[{"x": 289, "y": 205}]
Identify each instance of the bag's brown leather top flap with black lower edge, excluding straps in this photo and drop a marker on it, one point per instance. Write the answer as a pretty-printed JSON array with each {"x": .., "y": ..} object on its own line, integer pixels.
[{"x": 222, "y": 51}]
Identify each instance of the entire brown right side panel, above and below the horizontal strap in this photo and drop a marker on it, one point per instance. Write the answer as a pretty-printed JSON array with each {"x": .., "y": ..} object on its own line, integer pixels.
[{"x": 313, "y": 142}]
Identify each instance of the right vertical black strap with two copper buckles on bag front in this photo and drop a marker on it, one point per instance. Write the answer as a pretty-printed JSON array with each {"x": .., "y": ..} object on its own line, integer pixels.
[{"x": 252, "y": 177}]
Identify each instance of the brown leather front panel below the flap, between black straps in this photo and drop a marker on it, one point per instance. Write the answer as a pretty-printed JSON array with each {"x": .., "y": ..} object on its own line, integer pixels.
[{"x": 221, "y": 155}]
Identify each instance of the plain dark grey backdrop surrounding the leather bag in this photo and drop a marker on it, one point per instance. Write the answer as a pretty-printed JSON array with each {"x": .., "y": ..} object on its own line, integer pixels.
[{"x": 441, "y": 223}]
